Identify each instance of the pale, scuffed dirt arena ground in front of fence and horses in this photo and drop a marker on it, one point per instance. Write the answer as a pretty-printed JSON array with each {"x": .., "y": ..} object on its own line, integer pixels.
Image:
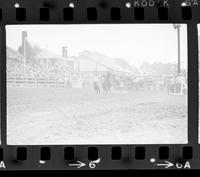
[{"x": 76, "y": 116}]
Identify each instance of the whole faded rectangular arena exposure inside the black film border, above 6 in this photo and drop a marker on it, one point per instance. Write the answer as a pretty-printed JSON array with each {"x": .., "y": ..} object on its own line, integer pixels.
[{"x": 96, "y": 84}]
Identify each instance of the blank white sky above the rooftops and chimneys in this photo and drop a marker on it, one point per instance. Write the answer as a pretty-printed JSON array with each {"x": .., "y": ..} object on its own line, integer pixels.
[{"x": 136, "y": 43}]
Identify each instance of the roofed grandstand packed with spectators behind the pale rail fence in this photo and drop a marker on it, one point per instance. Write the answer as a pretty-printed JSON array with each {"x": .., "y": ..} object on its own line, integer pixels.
[{"x": 50, "y": 72}]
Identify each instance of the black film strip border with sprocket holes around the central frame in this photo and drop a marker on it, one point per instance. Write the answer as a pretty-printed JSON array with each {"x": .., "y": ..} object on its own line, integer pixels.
[{"x": 127, "y": 15}]
